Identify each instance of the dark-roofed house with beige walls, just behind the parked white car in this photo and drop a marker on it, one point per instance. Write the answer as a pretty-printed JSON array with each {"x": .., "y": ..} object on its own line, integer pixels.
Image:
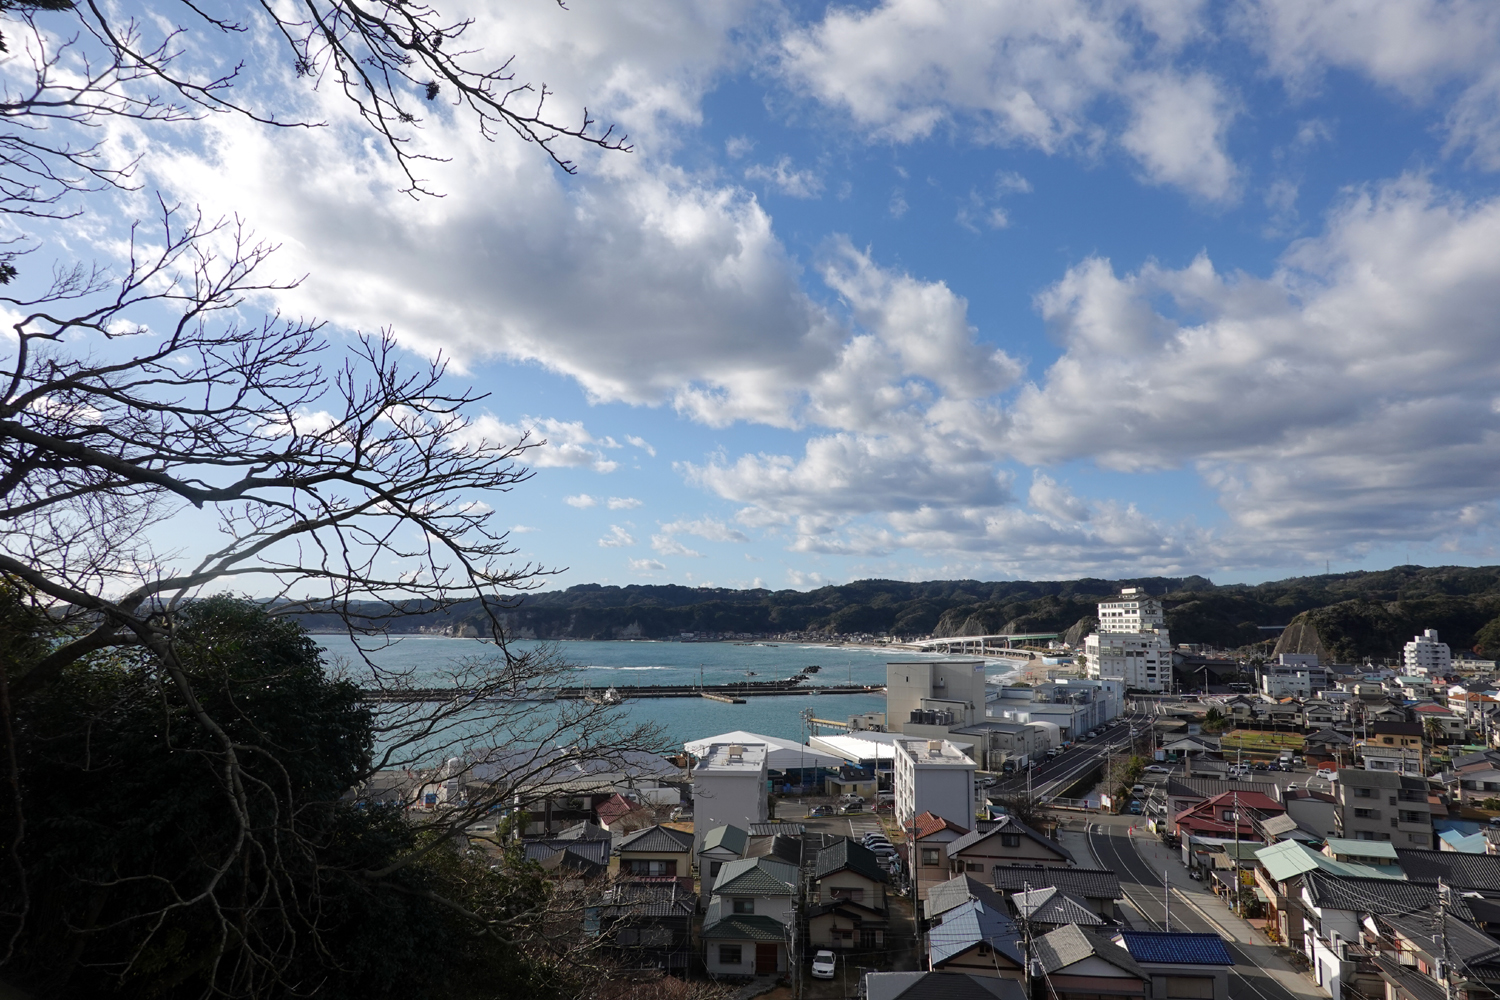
[{"x": 850, "y": 909}]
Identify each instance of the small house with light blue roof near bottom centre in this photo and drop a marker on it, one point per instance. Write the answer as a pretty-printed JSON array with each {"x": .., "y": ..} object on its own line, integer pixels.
[{"x": 971, "y": 930}]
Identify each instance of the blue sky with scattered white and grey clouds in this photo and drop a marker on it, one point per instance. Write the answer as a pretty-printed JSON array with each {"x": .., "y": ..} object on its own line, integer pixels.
[{"x": 938, "y": 289}]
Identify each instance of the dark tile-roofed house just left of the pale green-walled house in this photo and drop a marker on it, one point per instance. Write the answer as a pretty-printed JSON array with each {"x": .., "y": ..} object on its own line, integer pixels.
[{"x": 650, "y": 924}]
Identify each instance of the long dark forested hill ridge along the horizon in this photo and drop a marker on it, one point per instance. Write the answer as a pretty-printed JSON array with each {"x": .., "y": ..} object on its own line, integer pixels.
[{"x": 1357, "y": 614}]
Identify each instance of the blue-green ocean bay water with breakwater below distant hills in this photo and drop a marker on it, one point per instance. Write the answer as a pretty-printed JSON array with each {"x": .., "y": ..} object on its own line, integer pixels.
[{"x": 643, "y": 662}]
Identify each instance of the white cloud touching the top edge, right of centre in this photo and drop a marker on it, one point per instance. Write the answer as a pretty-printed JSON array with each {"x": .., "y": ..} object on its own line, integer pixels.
[{"x": 1042, "y": 76}]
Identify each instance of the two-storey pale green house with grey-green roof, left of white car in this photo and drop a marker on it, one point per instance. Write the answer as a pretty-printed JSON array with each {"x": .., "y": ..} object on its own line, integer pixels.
[{"x": 748, "y": 918}]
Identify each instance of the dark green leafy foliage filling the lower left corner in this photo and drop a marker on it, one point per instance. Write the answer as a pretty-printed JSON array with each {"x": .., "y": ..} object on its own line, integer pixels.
[{"x": 139, "y": 881}]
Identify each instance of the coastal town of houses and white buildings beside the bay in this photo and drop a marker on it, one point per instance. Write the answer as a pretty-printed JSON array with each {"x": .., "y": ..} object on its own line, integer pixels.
[{"x": 1127, "y": 819}]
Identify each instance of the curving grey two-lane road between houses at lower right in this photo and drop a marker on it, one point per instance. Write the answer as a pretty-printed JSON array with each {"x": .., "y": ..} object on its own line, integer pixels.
[{"x": 1192, "y": 911}]
